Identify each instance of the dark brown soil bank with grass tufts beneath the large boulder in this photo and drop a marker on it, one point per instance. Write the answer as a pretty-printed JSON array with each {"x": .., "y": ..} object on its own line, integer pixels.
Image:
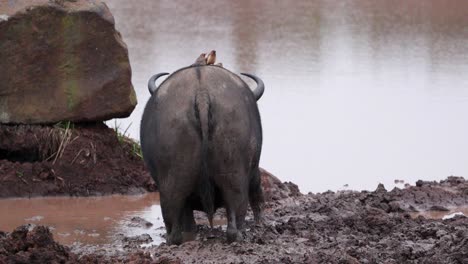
[{"x": 69, "y": 159}]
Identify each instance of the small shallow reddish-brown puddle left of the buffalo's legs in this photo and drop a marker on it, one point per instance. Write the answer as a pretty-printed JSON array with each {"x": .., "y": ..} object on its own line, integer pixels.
[{"x": 87, "y": 220}]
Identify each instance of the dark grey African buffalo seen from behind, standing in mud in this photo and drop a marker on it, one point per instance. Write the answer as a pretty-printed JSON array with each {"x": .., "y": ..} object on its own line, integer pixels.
[{"x": 201, "y": 138}]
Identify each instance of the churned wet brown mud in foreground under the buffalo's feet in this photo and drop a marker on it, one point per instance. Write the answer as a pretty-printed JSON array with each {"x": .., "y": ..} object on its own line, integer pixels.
[{"x": 332, "y": 227}]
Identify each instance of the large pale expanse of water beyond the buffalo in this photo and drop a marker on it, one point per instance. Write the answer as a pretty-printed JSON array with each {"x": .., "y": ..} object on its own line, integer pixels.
[{"x": 357, "y": 92}]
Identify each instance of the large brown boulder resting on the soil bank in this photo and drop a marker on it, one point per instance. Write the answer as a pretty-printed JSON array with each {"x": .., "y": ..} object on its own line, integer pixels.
[{"x": 62, "y": 60}]
